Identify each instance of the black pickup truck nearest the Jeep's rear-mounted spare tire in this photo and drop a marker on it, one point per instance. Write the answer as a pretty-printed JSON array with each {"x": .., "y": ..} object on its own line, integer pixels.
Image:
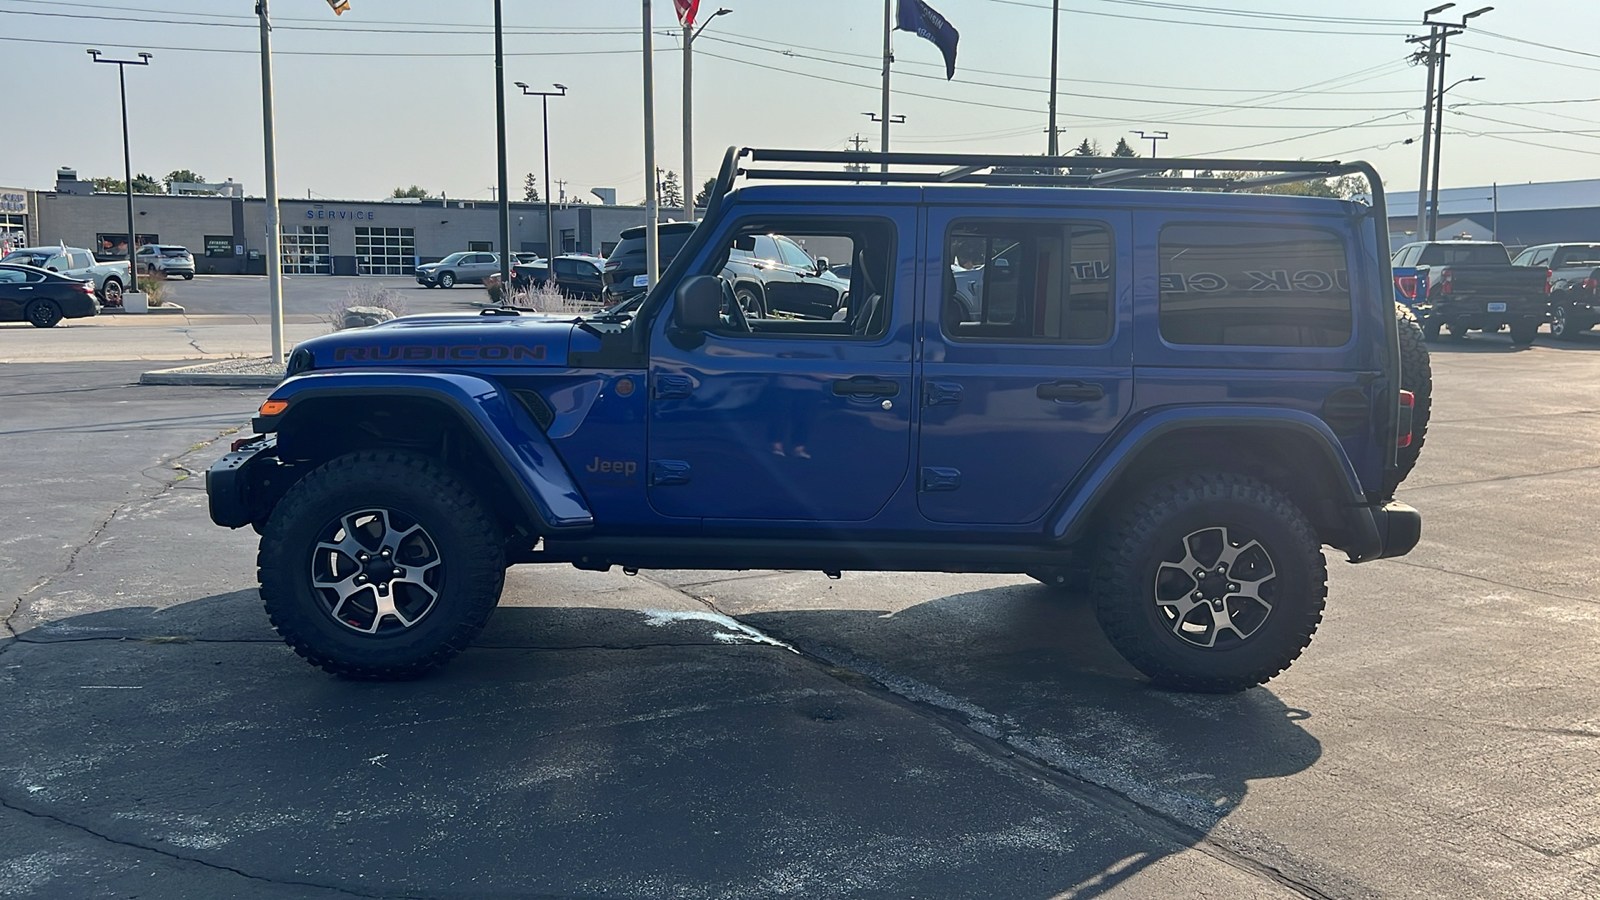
[{"x": 1460, "y": 286}]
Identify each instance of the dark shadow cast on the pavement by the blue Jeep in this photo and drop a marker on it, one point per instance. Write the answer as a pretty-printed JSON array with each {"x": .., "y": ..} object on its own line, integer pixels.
[{"x": 636, "y": 753}]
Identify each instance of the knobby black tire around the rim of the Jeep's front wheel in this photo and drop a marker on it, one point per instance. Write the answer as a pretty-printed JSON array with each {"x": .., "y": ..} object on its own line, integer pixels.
[{"x": 455, "y": 520}]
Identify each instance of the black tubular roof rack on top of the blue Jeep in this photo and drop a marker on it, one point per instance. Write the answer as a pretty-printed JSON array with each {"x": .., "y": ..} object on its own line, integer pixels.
[{"x": 1030, "y": 171}]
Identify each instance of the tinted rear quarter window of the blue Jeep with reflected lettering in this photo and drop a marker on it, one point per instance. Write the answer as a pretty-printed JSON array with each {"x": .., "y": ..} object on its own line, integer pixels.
[{"x": 1255, "y": 286}]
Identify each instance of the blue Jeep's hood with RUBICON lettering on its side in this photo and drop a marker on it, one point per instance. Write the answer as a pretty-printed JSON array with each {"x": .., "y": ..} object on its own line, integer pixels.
[{"x": 444, "y": 342}]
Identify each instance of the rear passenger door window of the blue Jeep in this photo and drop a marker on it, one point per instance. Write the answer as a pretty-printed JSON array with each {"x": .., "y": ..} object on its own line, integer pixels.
[{"x": 1028, "y": 281}]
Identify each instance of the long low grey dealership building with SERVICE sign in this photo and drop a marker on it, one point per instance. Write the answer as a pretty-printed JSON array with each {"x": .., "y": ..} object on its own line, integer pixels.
[{"x": 321, "y": 238}]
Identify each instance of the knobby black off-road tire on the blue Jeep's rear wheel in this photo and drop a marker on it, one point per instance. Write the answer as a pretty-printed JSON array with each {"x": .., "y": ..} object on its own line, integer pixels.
[{"x": 1158, "y": 528}]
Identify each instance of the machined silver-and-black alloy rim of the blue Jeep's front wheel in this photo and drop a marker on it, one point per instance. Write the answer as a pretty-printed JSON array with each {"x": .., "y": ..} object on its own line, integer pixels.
[{"x": 377, "y": 571}]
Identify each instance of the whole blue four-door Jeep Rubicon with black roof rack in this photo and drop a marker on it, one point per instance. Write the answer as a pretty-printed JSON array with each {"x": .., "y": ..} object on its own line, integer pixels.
[{"x": 1164, "y": 390}]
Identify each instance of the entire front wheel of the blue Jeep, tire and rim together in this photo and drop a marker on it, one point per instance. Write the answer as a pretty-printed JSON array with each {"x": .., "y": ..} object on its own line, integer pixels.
[{"x": 380, "y": 566}]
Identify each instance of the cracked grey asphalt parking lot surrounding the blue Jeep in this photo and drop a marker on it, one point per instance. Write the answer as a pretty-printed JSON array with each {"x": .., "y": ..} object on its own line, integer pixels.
[{"x": 777, "y": 734}]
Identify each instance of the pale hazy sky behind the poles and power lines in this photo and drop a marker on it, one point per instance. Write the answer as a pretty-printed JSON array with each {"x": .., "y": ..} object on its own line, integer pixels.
[{"x": 402, "y": 92}]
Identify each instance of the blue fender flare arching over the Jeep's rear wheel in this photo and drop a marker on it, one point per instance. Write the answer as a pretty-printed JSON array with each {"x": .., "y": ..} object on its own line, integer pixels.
[{"x": 1102, "y": 478}]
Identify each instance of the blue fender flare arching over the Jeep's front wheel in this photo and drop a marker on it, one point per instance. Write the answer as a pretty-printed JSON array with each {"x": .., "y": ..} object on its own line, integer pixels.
[{"x": 510, "y": 438}]
